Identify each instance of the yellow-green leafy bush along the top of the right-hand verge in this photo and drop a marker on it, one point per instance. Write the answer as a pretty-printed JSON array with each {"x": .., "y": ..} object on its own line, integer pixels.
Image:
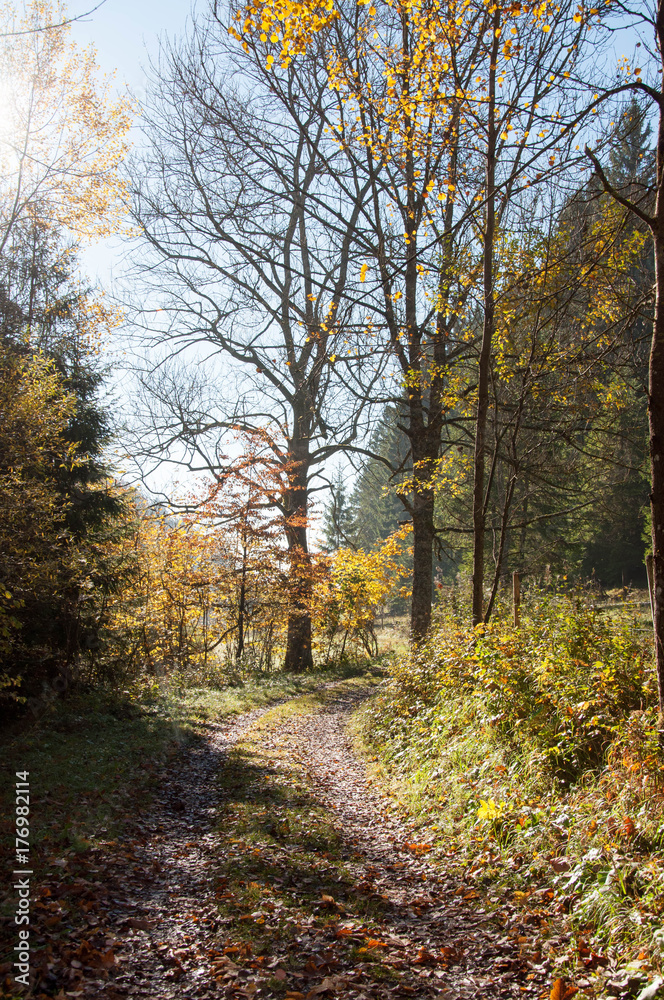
[{"x": 561, "y": 684}]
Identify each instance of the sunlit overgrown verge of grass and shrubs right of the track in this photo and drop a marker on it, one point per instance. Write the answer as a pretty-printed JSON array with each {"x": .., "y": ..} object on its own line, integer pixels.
[{"x": 530, "y": 756}]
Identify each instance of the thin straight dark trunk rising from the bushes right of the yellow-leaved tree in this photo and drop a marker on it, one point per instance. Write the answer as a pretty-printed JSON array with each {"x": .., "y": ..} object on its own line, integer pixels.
[{"x": 479, "y": 506}]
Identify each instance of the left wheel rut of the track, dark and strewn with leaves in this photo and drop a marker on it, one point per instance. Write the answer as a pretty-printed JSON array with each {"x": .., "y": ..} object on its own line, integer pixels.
[{"x": 169, "y": 919}]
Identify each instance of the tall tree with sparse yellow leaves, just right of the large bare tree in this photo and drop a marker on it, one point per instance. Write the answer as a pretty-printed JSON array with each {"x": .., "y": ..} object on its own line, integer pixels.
[{"x": 395, "y": 120}]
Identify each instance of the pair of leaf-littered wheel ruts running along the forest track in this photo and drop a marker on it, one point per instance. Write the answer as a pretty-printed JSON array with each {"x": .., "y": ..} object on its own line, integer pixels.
[{"x": 423, "y": 939}]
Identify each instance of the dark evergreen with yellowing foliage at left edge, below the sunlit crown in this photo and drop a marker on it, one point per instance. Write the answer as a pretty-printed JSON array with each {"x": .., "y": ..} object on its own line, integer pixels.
[{"x": 50, "y": 329}]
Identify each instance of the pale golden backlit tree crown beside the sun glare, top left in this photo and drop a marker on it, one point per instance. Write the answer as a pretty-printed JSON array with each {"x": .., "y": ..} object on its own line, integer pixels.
[{"x": 63, "y": 135}]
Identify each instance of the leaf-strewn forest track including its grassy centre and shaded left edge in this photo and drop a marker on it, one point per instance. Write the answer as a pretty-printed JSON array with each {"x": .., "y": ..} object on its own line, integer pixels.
[{"x": 266, "y": 862}]
